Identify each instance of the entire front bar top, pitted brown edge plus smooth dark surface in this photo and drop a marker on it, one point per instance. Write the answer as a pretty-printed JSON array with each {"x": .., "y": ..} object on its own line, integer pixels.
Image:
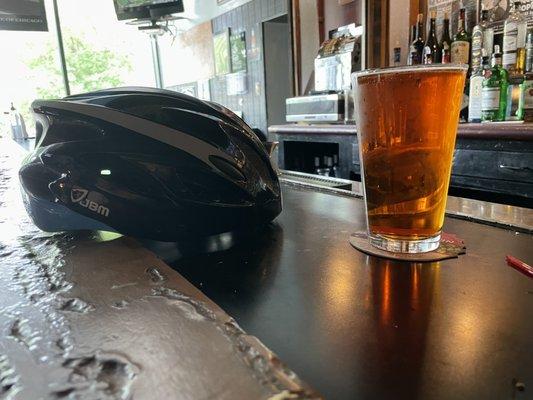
[{"x": 92, "y": 316}]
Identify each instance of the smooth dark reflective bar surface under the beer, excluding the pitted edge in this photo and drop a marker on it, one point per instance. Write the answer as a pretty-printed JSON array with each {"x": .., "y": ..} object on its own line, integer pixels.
[{"x": 361, "y": 327}]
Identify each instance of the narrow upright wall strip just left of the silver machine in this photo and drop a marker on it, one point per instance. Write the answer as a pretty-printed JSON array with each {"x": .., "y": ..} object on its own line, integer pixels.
[{"x": 309, "y": 42}]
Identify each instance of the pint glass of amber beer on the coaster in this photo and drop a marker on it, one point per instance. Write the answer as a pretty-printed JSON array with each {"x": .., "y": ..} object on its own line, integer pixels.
[{"x": 406, "y": 124}]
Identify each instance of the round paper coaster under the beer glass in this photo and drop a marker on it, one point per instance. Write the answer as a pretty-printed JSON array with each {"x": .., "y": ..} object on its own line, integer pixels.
[{"x": 450, "y": 247}]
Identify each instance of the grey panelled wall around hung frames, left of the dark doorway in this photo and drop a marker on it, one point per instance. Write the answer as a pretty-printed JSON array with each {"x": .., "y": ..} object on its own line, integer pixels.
[{"x": 248, "y": 18}]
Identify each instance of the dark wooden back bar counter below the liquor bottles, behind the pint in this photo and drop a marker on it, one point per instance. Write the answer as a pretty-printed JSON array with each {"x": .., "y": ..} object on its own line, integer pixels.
[{"x": 492, "y": 162}]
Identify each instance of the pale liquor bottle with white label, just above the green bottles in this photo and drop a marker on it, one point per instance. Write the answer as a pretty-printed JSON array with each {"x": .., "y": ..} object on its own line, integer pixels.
[{"x": 514, "y": 36}]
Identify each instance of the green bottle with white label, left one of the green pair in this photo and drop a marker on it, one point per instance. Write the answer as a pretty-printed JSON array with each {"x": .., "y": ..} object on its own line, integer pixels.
[{"x": 494, "y": 92}]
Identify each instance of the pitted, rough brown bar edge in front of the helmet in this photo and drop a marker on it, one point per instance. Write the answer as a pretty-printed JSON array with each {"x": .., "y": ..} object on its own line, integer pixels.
[{"x": 96, "y": 316}]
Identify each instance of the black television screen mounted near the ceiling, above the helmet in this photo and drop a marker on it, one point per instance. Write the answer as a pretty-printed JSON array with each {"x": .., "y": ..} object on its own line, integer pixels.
[{"x": 146, "y": 9}]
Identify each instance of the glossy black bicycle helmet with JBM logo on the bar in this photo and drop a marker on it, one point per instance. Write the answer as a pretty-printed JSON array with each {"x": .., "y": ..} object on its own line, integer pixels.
[{"x": 148, "y": 163}]
